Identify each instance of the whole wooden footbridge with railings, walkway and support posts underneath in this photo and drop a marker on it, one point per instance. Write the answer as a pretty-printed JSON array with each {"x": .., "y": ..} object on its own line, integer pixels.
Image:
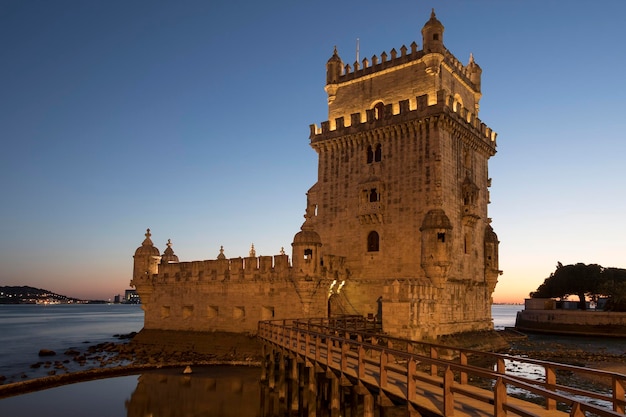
[{"x": 427, "y": 379}]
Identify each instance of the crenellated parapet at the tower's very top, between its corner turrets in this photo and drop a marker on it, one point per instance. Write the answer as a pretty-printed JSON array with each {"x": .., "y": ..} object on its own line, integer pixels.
[{"x": 385, "y": 62}]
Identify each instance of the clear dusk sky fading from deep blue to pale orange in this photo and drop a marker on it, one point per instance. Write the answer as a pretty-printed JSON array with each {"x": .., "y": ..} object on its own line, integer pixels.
[{"x": 191, "y": 118}]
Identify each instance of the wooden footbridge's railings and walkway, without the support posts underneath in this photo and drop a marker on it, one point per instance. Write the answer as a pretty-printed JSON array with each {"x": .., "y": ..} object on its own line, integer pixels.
[{"x": 350, "y": 346}]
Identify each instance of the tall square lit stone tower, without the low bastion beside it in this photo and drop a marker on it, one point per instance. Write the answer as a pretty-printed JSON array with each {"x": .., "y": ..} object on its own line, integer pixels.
[{"x": 402, "y": 190}]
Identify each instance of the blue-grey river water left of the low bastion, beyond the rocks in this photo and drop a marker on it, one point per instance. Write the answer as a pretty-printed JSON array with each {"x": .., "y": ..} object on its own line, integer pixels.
[{"x": 27, "y": 328}]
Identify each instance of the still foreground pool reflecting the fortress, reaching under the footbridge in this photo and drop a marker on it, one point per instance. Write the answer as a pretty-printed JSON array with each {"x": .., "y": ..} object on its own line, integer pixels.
[{"x": 208, "y": 391}]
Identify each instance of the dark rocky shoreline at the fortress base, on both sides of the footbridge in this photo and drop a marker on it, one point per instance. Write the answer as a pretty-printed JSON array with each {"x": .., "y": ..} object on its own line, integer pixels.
[{"x": 128, "y": 356}]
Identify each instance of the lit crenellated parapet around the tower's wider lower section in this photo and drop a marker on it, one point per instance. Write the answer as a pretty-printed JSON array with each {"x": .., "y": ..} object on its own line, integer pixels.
[{"x": 406, "y": 110}]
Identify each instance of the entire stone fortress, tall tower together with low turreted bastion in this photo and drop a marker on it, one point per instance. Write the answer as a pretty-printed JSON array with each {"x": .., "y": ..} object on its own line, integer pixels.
[{"x": 396, "y": 225}]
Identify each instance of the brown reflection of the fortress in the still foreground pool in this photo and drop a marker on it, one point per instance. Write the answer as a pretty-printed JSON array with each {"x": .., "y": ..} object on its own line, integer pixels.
[{"x": 238, "y": 391}]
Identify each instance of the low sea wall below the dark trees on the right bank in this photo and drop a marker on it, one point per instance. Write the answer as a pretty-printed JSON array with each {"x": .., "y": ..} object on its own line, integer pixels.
[{"x": 575, "y": 322}]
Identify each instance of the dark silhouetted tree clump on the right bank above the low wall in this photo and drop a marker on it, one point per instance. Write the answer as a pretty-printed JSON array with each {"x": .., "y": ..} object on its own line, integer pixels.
[{"x": 579, "y": 279}]
